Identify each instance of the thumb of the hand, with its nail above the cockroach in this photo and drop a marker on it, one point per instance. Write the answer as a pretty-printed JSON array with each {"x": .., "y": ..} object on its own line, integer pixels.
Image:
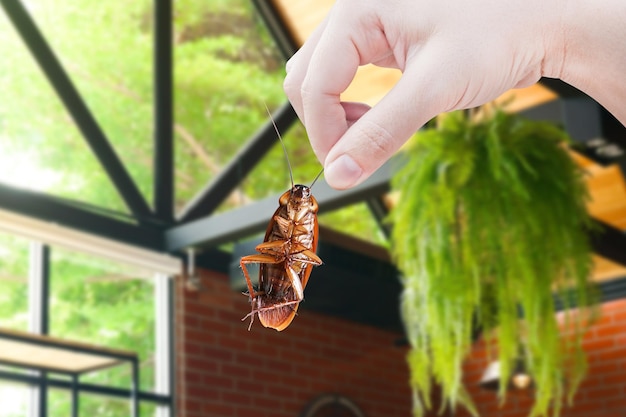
[{"x": 382, "y": 130}]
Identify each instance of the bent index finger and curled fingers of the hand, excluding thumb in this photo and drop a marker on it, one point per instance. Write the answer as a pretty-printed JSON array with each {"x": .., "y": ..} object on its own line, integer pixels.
[{"x": 327, "y": 65}]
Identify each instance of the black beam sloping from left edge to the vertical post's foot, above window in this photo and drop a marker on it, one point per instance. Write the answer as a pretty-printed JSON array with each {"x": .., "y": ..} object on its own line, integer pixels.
[{"x": 73, "y": 215}]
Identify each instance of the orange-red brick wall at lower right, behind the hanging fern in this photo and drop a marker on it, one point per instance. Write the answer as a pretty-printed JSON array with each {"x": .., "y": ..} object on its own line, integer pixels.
[{"x": 603, "y": 392}]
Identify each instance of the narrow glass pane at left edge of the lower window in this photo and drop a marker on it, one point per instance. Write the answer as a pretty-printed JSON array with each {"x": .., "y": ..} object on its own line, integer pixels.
[{"x": 14, "y": 255}]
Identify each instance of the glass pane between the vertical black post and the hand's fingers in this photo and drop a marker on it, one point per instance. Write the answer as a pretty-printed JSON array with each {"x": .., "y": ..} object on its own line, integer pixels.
[{"x": 226, "y": 68}]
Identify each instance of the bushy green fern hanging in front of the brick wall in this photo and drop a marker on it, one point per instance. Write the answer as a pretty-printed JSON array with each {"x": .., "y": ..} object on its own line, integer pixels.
[{"x": 490, "y": 224}]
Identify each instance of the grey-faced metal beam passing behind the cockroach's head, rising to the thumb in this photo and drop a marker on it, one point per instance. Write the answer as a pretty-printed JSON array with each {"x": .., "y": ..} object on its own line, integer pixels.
[{"x": 251, "y": 219}]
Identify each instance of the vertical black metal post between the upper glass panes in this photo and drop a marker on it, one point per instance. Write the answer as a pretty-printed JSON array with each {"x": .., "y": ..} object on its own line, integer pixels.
[{"x": 163, "y": 112}]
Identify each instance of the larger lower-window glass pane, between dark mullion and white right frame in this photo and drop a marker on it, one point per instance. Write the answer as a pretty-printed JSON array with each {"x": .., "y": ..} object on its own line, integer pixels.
[{"x": 106, "y": 304}]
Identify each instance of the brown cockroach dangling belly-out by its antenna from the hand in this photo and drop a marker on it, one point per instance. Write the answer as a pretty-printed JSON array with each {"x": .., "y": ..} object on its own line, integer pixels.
[{"x": 286, "y": 256}]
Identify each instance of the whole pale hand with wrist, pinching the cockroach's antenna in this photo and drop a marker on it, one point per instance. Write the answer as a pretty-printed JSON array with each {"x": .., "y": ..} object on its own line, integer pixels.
[{"x": 453, "y": 54}]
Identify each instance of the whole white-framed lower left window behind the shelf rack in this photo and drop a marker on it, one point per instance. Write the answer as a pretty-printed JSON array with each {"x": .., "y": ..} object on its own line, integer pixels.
[{"x": 90, "y": 300}]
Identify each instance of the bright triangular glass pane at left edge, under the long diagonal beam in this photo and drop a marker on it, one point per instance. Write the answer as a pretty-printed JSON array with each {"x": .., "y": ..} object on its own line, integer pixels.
[{"x": 40, "y": 146}]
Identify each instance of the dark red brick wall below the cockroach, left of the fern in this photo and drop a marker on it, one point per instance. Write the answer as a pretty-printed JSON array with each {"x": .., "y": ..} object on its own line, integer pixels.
[{"x": 225, "y": 370}]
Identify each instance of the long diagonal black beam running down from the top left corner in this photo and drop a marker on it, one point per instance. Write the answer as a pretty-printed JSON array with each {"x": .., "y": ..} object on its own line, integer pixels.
[{"x": 67, "y": 92}]
